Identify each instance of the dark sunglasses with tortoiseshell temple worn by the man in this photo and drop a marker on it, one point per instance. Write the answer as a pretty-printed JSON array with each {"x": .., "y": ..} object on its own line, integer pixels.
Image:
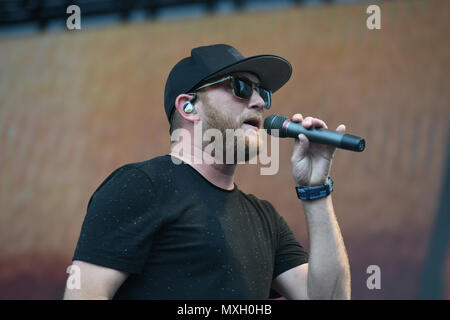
[{"x": 243, "y": 89}]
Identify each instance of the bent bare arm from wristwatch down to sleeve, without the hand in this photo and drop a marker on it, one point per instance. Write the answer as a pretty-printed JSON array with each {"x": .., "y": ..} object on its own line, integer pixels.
[{"x": 327, "y": 274}]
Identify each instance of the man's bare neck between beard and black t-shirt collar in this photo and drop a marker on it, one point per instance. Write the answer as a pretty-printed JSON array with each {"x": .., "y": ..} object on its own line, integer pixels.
[{"x": 220, "y": 175}]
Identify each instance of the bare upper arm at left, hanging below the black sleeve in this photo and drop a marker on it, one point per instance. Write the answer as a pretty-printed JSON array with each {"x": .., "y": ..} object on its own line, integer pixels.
[{"x": 97, "y": 282}]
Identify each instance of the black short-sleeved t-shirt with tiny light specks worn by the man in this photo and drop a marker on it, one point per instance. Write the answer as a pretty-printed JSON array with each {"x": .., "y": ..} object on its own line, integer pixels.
[{"x": 181, "y": 237}]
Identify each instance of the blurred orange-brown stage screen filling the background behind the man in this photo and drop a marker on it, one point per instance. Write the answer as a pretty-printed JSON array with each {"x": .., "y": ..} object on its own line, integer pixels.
[{"x": 76, "y": 104}]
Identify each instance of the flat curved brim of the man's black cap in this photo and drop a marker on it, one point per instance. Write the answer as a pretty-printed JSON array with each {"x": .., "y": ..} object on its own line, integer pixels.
[{"x": 273, "y": 71}]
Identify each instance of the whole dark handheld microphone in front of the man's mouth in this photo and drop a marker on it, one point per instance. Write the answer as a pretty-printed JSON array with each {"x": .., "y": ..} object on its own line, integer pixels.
[{"x": 287, "y": 128}]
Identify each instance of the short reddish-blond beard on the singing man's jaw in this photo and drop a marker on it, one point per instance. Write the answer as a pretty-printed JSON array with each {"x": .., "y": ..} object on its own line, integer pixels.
[{"x": 238, "y": 145}]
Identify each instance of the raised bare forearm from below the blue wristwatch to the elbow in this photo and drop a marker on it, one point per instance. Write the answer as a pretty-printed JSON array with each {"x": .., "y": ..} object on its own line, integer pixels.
[{"x": 329, "y": 271}]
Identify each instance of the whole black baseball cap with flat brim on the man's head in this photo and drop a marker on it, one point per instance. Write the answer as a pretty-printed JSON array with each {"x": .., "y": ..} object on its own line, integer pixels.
[{"x": 219, "y": 60}]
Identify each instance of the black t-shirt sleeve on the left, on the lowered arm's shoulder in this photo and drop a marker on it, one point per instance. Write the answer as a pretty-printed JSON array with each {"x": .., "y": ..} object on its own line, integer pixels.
[{"x": 120, "y": 222}]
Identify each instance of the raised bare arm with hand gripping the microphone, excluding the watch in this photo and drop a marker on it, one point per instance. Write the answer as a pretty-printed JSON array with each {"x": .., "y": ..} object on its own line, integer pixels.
[{"x": 327, "y": 274}]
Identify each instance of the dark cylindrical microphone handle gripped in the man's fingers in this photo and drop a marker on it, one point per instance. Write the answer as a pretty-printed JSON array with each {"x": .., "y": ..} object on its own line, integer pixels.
[{"x": 325, "y": 136}]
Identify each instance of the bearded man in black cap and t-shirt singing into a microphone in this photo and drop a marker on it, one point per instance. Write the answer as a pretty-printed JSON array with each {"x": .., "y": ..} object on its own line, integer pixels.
[{"x": 177, "y": 227}]
